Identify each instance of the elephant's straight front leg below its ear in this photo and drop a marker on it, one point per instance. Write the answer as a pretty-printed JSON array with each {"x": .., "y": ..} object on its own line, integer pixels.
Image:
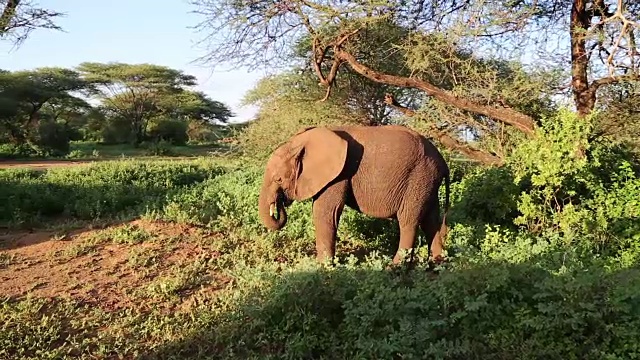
[{"x": 327, "y": 208}]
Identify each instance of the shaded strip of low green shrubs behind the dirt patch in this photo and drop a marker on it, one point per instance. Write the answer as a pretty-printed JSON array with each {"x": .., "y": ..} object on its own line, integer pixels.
[{"x": 95, "y": 191}]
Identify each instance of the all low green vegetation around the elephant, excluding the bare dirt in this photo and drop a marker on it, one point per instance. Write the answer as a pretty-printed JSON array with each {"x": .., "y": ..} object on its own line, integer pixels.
[{"x": 523, "y": 280}]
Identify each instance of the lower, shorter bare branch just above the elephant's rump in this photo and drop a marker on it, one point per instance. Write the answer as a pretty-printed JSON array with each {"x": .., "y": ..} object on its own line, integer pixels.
[{"x": 446, "y": 140}]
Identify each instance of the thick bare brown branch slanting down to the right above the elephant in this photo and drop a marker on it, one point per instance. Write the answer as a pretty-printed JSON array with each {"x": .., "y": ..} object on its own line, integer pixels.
[{"x": 506, "y": 115}]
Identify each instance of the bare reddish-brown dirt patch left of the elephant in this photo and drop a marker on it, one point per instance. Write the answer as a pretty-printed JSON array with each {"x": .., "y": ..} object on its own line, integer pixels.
[{"x": 101, "y": 273}]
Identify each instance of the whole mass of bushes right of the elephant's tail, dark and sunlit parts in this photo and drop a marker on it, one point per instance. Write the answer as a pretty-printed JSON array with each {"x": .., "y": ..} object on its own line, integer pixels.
[{"x": 561, "y": 188}]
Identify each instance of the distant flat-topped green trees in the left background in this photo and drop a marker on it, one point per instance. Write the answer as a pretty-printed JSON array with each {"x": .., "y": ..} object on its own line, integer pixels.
[{"x": 130, "y": 95}]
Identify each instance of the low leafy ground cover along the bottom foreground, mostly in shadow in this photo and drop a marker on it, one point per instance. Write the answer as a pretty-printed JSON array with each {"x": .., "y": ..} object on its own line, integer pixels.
[{"x": 493, "y": 310}]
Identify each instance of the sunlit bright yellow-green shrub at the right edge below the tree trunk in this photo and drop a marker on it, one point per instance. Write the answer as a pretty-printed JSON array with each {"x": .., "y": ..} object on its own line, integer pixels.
[{"x": 579, "y": 187}]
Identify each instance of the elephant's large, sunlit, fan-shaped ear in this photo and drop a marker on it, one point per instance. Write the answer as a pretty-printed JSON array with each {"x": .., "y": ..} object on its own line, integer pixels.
[{"x": 320, "y": 157}]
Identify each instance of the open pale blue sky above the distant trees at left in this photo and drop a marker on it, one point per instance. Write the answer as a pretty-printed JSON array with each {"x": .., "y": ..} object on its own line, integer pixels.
[{"x": 142, "y": 31}]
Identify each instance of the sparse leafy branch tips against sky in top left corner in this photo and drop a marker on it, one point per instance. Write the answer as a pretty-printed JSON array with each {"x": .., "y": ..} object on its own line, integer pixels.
[{"x": 20, "y": 17}]
